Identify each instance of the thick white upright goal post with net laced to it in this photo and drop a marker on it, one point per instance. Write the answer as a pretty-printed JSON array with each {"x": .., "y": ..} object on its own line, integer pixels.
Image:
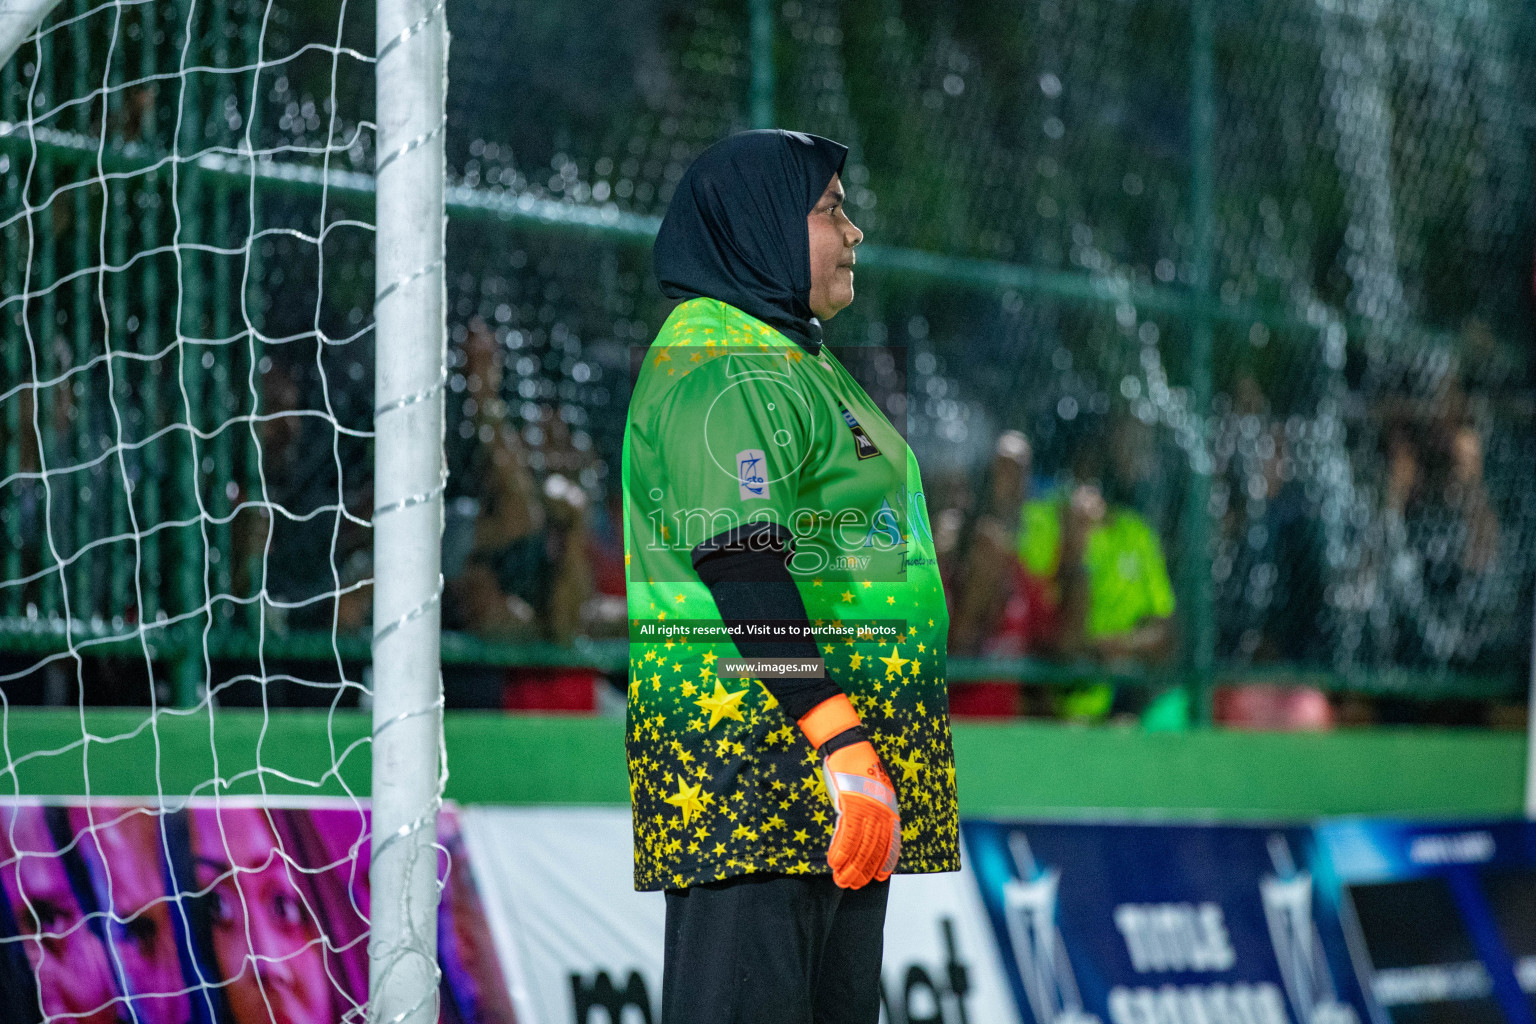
[{"x": 409, "y": 474}]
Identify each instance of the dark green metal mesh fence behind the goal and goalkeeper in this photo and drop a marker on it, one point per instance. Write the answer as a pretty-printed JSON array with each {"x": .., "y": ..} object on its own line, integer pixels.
[{"x": 1282, "y": 251}]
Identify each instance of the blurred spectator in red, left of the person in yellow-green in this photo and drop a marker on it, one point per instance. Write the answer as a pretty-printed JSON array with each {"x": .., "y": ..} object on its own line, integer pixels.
[{"x": 999, "y": 609}]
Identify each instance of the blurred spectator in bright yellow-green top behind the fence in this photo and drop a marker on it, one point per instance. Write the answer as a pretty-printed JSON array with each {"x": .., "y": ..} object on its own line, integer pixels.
[{"x": 1107, "y": 575}]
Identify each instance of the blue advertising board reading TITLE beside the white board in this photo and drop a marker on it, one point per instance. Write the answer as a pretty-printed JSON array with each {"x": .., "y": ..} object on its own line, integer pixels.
[{"x": 1164, "y": 925}]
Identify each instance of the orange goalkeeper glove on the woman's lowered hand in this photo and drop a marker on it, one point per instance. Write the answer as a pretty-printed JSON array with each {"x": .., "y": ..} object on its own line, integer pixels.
[{"x": 867, "y": 841}]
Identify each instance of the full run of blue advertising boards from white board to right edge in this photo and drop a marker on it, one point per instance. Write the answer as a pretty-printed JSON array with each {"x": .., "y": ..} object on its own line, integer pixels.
[{"x": 1345, "y": 922}]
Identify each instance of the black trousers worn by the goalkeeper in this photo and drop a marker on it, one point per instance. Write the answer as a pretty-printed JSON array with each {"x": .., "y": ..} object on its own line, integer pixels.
[{"x": 773, "y": 950}]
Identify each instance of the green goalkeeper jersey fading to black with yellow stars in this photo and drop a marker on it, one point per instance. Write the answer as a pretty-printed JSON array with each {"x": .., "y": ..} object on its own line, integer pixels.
[{"x": 733, "y": 424}]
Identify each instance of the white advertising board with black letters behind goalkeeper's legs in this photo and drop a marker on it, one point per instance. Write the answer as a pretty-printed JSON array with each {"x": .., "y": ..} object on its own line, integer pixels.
[{"x": 580, "y": 946}]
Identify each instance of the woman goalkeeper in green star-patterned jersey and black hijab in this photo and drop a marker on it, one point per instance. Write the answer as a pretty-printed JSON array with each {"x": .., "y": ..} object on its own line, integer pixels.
[{"x": 764, "y": 486}]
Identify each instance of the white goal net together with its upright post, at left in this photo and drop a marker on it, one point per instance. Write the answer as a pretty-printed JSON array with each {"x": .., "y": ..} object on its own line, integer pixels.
[{"x": 193, "y": 382}]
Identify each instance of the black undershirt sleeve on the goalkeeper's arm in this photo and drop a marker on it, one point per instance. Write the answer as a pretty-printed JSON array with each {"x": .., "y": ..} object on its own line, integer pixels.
[{"x": 749, "y": 578}]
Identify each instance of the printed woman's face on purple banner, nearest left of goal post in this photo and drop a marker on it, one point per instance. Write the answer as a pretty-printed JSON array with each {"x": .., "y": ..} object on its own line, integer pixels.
[{"x": 265, "y": 939}]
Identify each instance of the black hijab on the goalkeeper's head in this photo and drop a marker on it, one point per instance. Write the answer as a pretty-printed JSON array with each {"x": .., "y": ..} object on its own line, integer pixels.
[{"x": 737, "y": 233}]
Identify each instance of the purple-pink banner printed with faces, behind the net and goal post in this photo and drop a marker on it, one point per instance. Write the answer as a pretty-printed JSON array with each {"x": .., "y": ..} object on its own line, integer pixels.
[{"x": 228, "y": 914}]
